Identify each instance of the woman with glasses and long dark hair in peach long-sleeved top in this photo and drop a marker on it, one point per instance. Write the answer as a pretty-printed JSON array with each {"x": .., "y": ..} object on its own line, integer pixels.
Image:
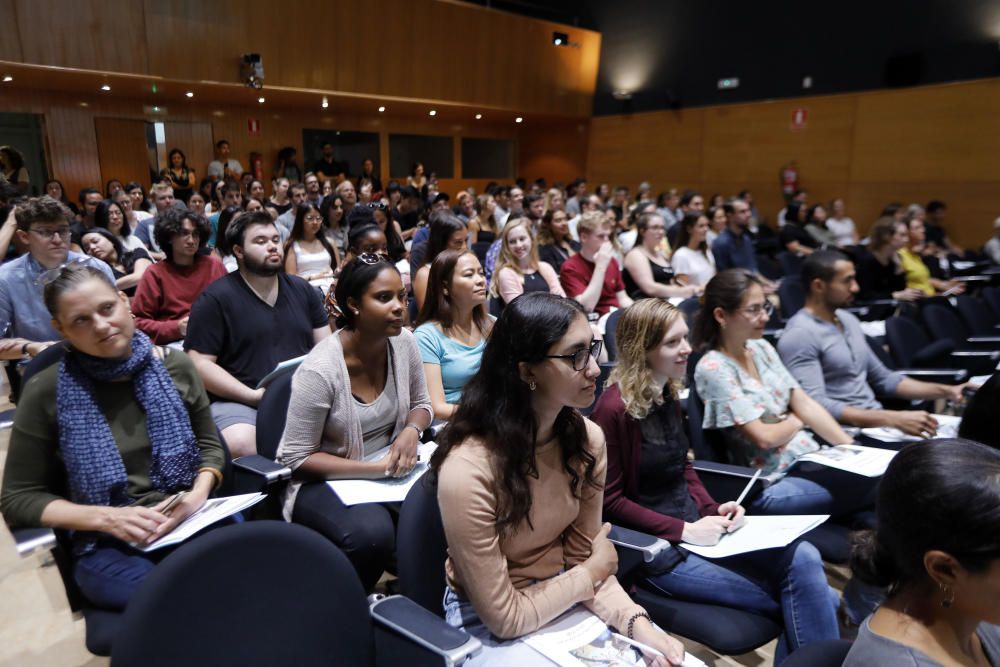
[{"x": 520, "y": 478}]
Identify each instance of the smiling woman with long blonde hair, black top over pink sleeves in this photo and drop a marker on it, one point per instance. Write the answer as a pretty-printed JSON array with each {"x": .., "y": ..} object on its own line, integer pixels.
[{"x": 518, "y": 269}]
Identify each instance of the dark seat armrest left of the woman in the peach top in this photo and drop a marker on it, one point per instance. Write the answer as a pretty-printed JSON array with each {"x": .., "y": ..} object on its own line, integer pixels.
[{"x": 420, "y": 626}]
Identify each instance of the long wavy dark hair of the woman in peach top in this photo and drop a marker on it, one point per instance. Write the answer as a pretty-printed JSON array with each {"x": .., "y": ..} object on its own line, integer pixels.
[{"x": 496, "y": 407}]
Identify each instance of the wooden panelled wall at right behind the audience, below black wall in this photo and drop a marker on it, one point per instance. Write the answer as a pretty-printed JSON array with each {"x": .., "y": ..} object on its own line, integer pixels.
[{"x": 912, "y": 145}]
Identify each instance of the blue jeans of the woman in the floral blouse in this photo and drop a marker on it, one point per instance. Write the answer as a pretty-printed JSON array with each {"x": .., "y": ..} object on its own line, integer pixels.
[{"x": 818, "y": 491}]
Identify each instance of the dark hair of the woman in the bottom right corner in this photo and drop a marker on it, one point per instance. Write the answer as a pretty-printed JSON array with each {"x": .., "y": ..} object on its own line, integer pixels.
[{"x": 942, "y": 494}]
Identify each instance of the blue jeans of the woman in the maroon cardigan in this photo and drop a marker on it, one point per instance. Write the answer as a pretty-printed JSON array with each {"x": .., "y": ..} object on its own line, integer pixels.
[{"x": 787, "y": 583}]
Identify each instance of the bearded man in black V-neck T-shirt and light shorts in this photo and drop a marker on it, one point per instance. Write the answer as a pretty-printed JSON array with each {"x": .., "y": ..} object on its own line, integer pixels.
[{"x": 247, "y": 322}]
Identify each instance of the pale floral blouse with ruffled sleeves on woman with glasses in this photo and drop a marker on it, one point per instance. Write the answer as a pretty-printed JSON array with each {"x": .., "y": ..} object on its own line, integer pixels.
[{"x": 733, "y": 397}]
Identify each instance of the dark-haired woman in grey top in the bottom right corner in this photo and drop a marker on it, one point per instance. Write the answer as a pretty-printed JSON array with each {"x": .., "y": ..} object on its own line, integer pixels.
[{"x": 936, "y": 551}]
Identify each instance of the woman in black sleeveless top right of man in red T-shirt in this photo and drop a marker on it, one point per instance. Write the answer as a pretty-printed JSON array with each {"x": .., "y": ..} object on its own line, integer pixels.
[{"x": 647, "y": 270}]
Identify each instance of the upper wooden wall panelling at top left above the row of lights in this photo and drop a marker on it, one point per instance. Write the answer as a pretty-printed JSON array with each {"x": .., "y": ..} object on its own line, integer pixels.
[{"x": 424, "y": 49}]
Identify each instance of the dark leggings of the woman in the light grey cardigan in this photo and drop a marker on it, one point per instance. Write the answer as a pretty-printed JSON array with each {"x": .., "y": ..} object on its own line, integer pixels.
[{"x": 366, "y": 533}]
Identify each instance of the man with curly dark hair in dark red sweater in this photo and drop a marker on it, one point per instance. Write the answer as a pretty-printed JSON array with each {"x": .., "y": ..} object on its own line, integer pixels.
[{"x": 164, "y": 296}]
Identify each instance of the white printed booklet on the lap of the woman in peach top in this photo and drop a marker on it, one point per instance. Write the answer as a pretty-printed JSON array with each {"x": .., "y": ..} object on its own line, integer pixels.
[{"x": 580, "y": 639}]
